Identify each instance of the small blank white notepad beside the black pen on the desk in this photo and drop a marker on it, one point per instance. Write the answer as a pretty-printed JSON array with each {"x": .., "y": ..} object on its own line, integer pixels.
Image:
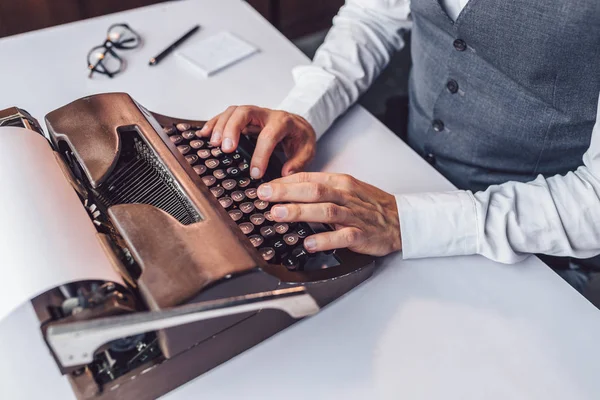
[{"x": 216, "y": 52}]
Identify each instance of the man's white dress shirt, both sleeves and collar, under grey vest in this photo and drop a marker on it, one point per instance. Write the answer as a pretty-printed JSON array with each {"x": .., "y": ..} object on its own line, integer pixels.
[{"x": 556, "y": 216}]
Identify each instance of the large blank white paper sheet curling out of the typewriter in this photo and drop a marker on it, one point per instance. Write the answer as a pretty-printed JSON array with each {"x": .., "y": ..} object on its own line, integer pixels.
[{"x": 46, "y": 237}]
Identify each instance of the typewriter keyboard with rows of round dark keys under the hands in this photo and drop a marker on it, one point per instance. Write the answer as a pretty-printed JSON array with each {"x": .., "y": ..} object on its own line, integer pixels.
[{"x": 228, "y": 178}]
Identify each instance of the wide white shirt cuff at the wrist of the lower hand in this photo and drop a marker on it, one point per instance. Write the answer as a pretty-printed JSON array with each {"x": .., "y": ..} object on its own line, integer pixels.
[{"x": 438, "y": 224}]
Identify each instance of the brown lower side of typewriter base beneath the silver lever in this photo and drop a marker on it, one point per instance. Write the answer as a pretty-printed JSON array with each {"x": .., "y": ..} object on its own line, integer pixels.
[{"x": 156, "y": 379}]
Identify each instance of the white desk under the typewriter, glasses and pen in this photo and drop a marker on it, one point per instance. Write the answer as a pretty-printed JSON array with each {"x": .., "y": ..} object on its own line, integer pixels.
[{"x": 455, "y": 328}]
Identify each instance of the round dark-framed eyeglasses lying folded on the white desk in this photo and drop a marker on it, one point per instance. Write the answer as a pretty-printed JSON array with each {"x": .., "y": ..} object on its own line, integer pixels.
[{"x": 104, "y": 59}]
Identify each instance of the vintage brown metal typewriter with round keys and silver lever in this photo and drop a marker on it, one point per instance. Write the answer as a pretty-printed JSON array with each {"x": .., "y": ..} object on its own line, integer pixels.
[{"x": 207, "y": 273}]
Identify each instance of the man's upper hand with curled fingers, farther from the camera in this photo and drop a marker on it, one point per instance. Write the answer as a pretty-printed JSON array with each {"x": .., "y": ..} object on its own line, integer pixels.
[{"x": 296, "y": 134}]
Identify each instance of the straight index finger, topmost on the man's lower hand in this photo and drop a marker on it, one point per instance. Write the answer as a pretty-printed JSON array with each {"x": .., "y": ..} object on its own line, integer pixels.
[{"x": 304, "y": 192}]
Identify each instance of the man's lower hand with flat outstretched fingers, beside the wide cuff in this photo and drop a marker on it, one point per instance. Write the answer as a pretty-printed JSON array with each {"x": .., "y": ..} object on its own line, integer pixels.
[{"x": 365, "y": 218}]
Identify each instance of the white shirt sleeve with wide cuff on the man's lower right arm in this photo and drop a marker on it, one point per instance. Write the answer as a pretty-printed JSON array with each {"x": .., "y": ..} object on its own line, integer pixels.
[{"x": 556, "y": 216}]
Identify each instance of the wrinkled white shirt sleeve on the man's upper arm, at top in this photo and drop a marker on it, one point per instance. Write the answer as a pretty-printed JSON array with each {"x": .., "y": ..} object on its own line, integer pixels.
[{"x": 364, "y": 35}]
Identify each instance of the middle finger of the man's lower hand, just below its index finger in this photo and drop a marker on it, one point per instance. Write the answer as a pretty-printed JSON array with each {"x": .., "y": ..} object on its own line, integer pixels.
[{"x": 326, "y": 213}]
